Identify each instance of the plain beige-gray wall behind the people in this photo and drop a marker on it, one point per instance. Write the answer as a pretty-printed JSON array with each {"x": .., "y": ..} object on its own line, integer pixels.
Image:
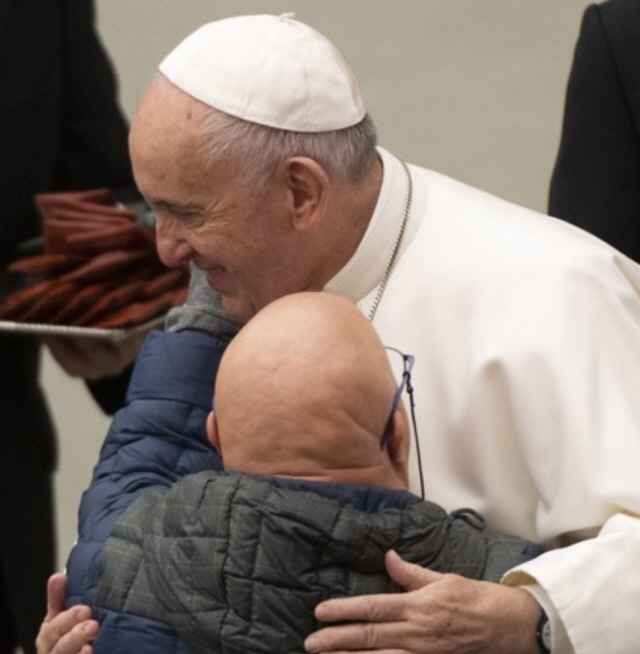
[{"x": 472, "y": 88}]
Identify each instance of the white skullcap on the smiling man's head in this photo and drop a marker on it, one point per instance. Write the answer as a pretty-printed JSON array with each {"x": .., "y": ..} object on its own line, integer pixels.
[{"x": 269, "y": 70}]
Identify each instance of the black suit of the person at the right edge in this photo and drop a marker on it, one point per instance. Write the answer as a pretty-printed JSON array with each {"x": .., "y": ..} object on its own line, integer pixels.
[{"x": 596, "y": 180}]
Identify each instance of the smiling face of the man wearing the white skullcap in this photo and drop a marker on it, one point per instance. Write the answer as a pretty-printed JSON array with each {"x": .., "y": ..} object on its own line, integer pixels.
[{"x": 241, "y": 237}]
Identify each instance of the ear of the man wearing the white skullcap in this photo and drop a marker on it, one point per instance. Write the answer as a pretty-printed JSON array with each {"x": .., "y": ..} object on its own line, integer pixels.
[{"x": 307, "y": 183}]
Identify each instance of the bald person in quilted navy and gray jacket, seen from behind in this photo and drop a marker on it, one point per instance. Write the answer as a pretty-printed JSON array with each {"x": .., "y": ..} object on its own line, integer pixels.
[{"x": 315, "y": 442}]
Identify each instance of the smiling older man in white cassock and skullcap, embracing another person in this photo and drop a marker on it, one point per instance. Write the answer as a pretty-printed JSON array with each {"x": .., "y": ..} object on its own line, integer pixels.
[{"x": 254, "y": 149}]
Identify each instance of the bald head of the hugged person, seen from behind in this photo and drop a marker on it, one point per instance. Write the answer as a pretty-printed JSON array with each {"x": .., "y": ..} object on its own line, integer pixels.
[{"x": 305, "y": 390}]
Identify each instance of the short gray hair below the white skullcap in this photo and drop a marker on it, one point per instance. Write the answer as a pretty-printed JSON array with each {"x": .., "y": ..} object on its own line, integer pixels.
[{"x": 257, "y": 150}]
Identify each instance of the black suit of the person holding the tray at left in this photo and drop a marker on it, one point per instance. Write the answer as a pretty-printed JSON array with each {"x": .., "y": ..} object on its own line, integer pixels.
[{"x": 60, "y": 129}]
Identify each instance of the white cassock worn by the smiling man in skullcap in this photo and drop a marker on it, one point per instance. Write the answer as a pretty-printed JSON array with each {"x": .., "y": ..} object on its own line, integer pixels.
[{"x": 526, "y": 334}]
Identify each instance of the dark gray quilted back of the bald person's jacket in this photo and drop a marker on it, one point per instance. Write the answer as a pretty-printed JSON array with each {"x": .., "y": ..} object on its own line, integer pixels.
[{"x": 237, "y": 564}]
